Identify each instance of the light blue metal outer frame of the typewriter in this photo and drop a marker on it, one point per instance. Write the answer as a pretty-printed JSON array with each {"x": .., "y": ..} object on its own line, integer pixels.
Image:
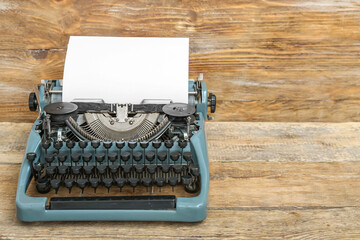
[{"x": 189, "y": 209}]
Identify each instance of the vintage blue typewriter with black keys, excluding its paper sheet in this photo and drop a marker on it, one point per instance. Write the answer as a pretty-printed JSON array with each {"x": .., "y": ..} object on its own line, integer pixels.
[{"x": 101, "y": 161}]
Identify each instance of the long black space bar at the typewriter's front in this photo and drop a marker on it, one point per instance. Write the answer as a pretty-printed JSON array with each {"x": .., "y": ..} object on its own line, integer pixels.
[{"x": 123, "y": 202}]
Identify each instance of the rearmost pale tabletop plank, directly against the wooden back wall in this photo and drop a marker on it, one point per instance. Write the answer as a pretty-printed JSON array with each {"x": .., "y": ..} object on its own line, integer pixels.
[{"x": 241, "y": 142}]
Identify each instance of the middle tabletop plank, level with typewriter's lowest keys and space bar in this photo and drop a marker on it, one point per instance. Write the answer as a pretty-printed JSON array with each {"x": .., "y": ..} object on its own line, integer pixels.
[{"x": 234, "y": 184}]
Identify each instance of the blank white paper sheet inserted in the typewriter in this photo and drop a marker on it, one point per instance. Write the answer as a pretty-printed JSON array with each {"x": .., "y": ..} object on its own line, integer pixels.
[{"x": 126, "y": 70}]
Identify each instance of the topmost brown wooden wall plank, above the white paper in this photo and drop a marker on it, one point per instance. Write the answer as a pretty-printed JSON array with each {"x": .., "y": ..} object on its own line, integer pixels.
[{"x": 337, "y": 22}]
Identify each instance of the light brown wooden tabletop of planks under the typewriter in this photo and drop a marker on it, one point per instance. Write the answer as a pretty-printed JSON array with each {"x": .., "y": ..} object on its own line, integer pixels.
[{"x": 267, "y": 181}]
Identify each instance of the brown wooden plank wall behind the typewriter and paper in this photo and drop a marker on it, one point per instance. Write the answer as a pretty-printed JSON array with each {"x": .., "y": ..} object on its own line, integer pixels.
[{"x": 286, "y": 60}]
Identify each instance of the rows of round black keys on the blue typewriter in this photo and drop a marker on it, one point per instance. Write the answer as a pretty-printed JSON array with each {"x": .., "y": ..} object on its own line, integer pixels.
[{"x": 114, "y": 165}]
